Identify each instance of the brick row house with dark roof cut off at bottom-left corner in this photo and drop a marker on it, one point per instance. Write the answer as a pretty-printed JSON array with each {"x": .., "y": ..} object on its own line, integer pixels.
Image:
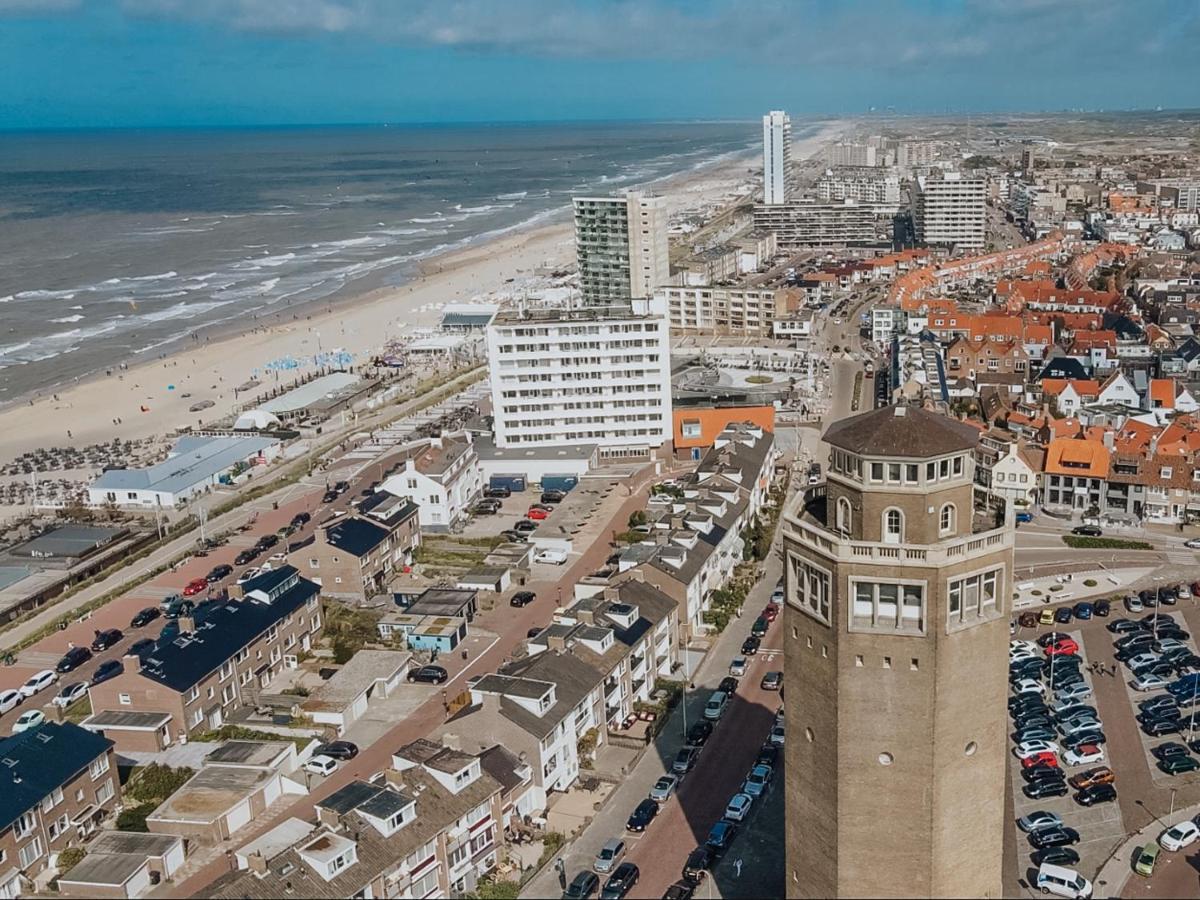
[{"x": 61, "y": 783}]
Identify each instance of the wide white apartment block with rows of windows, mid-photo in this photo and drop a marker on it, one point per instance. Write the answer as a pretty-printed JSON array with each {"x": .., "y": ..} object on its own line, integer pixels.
[{"x": 586, "y": 376}]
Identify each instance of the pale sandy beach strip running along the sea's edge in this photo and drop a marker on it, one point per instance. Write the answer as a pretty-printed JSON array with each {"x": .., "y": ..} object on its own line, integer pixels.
[{"x": 141, "y": 399}]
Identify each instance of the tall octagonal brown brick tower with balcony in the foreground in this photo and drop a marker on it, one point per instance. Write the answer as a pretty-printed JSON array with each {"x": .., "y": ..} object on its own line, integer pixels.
[{"x": 897, "y": 664}]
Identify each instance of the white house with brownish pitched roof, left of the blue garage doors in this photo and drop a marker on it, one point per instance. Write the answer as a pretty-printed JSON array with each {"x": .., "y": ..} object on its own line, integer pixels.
[{"x": 443, "y": 477}]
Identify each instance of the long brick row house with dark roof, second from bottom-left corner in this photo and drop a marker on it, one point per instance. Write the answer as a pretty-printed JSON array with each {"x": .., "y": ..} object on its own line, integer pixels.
[{"x": 224, "y": 657}]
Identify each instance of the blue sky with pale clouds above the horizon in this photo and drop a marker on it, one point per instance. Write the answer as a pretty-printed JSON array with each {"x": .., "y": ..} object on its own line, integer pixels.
[{"x": 242, "y": 63}]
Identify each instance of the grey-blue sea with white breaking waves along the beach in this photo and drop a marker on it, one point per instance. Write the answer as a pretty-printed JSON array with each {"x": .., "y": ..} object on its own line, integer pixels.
[{"x": 117, "y": 245}]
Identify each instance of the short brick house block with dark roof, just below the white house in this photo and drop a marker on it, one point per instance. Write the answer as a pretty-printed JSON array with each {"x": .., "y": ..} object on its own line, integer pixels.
[{"x": 357, "y": 557}]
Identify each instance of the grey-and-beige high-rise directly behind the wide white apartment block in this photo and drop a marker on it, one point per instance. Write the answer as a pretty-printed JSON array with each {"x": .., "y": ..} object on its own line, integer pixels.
[{"x": 621, "y": 244}]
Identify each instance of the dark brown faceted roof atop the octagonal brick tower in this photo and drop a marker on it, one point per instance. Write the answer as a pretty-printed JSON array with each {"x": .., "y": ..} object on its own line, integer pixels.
[{"x": 903, "y": 431}]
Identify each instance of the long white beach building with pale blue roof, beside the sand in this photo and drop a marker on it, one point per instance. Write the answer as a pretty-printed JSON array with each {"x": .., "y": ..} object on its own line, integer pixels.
[{"x": 195, "y": 465}]
